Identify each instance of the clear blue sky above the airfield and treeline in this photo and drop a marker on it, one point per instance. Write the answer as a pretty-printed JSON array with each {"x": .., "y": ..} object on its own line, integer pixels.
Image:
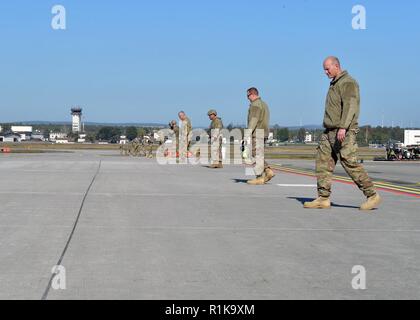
[{"x": 143, "y": 61}]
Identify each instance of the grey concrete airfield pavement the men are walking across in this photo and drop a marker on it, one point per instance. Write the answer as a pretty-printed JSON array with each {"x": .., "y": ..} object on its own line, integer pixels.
[{"x": 126, "y": 228}]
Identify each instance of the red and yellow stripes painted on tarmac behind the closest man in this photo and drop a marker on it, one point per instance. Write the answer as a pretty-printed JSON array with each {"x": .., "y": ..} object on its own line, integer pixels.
[{"x": 383, "y": 186}]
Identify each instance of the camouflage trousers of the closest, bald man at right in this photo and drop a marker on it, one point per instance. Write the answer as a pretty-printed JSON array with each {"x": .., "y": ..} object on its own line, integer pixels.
[{"x": 330, "y": 150}]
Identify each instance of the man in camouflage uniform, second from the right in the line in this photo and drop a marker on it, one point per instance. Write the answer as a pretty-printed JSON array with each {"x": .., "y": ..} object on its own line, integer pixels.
[{"x": 259, "y": 119}]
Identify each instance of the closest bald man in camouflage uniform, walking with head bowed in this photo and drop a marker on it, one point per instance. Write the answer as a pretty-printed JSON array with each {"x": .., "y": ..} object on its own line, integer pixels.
[{"x": 339, "y": 139}]
